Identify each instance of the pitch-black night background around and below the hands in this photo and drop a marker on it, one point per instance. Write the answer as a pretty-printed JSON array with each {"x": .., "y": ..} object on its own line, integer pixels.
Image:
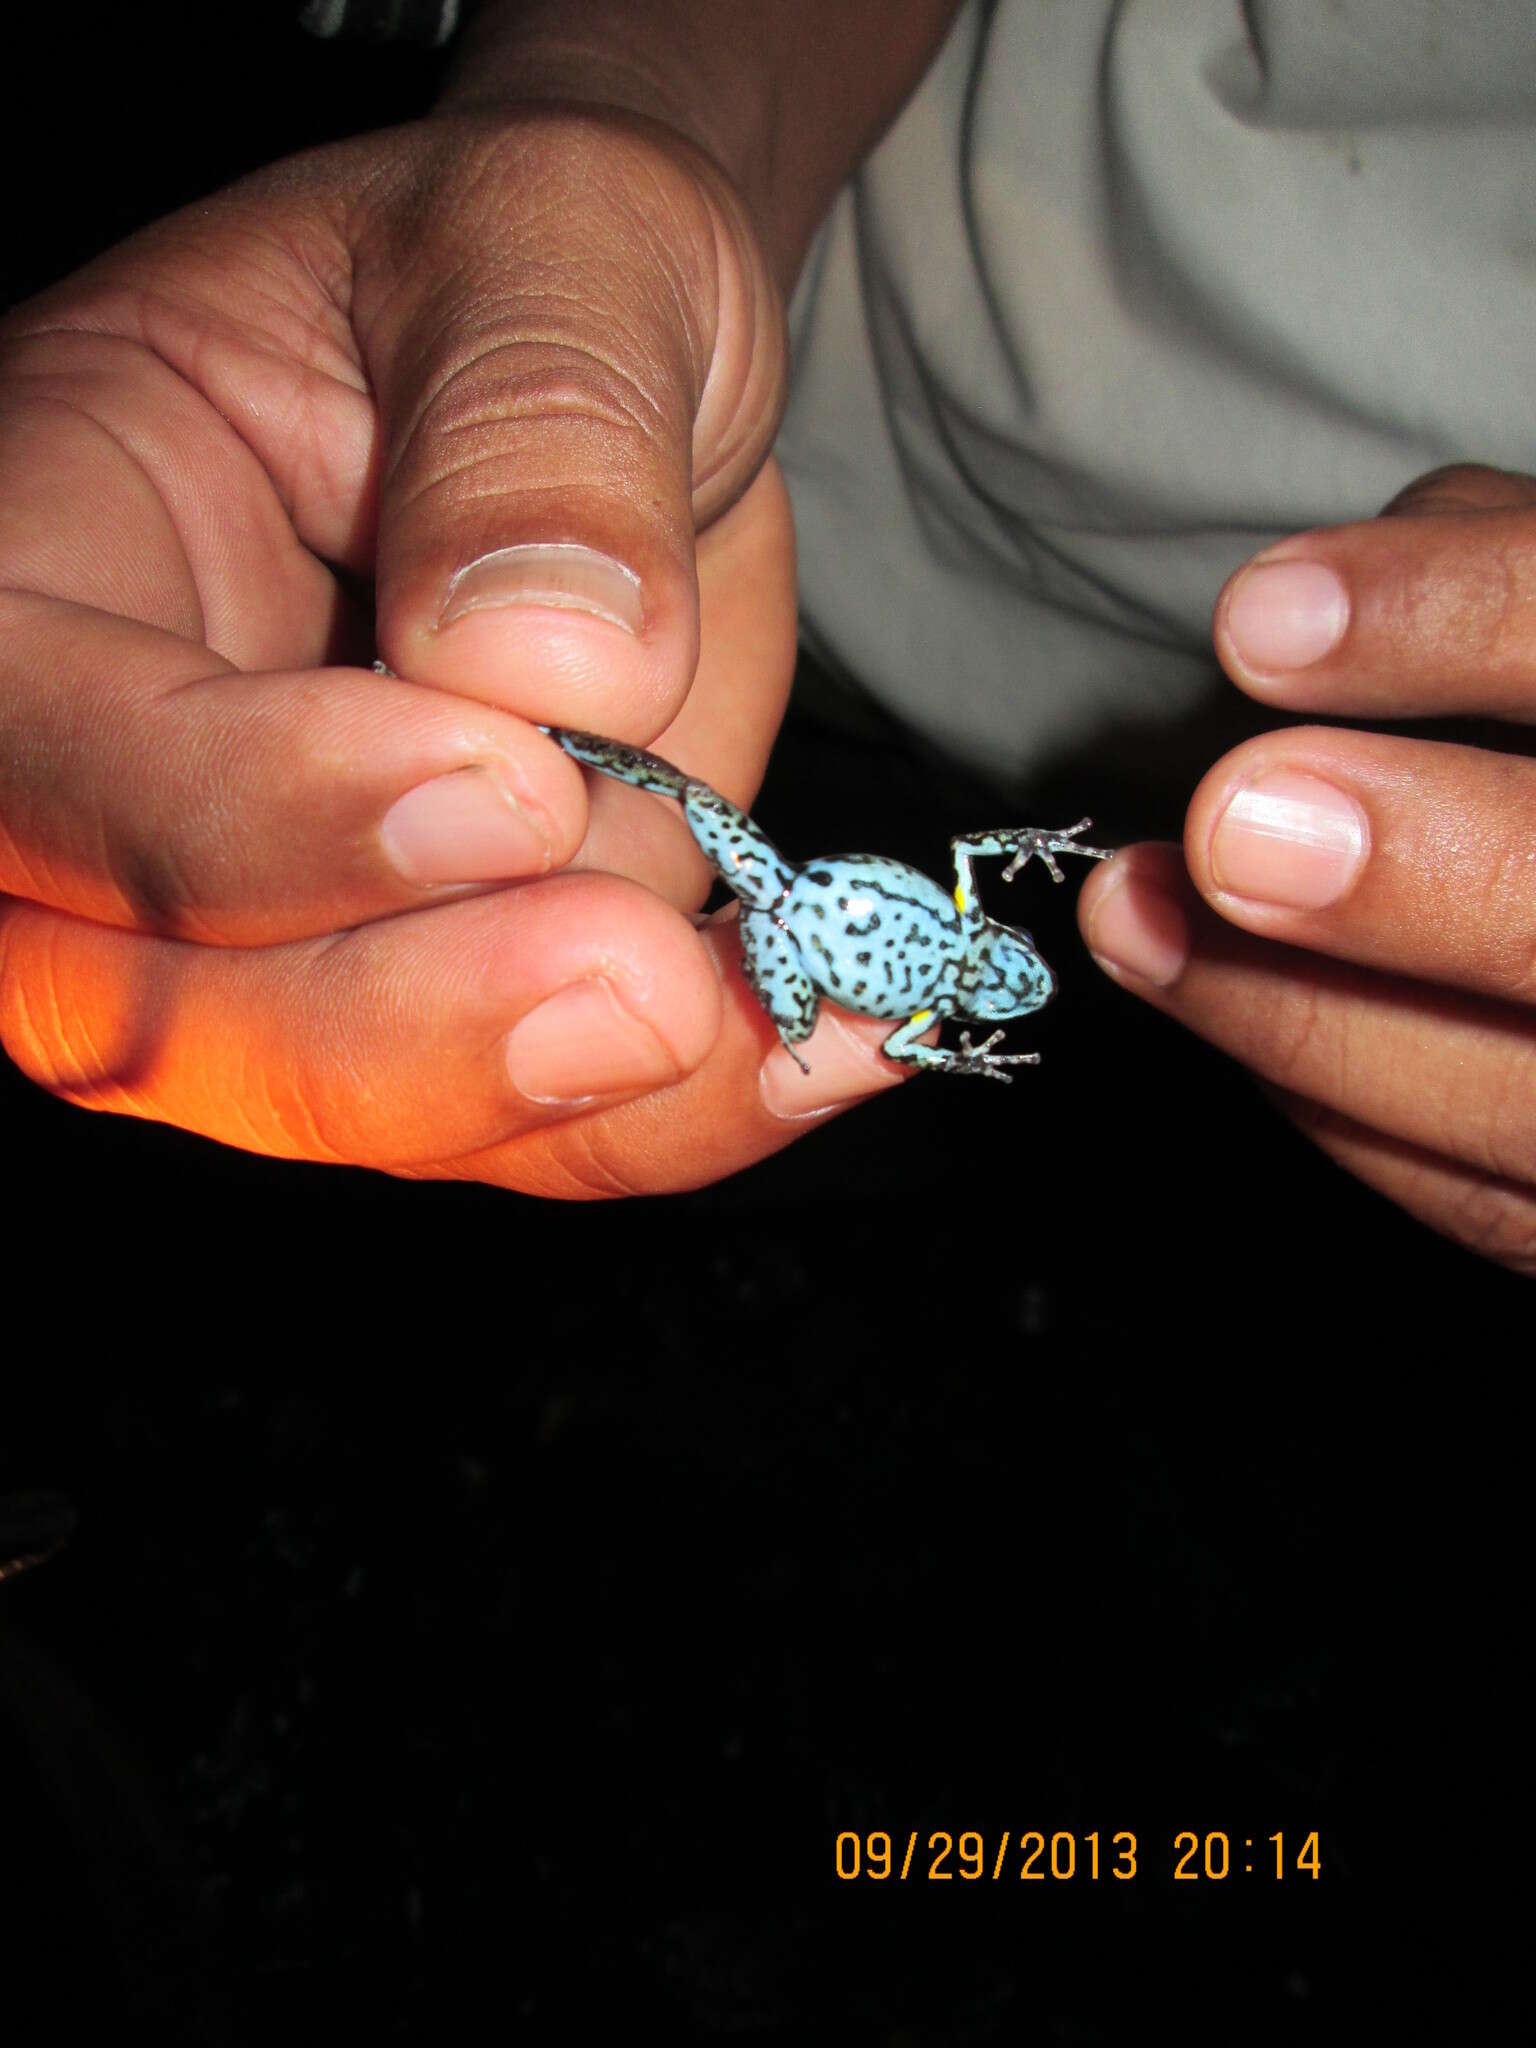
[{"x": 488, "y": 1609}]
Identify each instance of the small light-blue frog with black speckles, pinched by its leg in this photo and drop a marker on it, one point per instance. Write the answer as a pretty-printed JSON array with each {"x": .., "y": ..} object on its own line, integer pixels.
[{"x": 867, "y": 933}]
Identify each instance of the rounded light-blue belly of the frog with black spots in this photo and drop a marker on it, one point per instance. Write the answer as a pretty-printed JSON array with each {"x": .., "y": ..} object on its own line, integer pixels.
[{"x": 873, "y": 935}]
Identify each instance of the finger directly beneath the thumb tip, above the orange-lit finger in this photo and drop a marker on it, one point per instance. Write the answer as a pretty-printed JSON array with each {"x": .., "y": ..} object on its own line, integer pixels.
[{"x": 144, "y": 783}]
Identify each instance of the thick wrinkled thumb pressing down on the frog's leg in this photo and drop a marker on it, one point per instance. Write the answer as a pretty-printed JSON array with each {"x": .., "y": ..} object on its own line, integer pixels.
[{"x": 579, "y": 357}]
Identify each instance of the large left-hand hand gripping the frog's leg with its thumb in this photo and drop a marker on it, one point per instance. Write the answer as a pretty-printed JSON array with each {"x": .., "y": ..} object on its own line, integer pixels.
[{"x": 253, "y": 888}]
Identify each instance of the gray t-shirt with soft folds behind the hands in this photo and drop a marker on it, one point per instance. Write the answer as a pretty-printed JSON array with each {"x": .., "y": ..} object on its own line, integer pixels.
[{"x": 1132, "y": 290}]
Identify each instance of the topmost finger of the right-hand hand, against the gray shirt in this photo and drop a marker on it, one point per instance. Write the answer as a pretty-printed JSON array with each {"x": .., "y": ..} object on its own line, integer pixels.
[{"x": 1394, "y": 617}]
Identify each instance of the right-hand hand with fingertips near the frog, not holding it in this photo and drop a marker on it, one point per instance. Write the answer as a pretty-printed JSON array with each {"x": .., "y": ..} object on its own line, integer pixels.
[{"x": 1353, "y": 914}]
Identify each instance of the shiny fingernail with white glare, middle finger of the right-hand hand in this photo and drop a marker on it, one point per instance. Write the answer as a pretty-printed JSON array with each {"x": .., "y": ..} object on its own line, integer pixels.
[{"x": 1291, "y": 841}]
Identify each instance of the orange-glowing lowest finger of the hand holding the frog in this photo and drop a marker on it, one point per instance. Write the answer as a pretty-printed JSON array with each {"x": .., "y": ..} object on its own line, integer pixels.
[{"x": 493, "y": 1039}]
